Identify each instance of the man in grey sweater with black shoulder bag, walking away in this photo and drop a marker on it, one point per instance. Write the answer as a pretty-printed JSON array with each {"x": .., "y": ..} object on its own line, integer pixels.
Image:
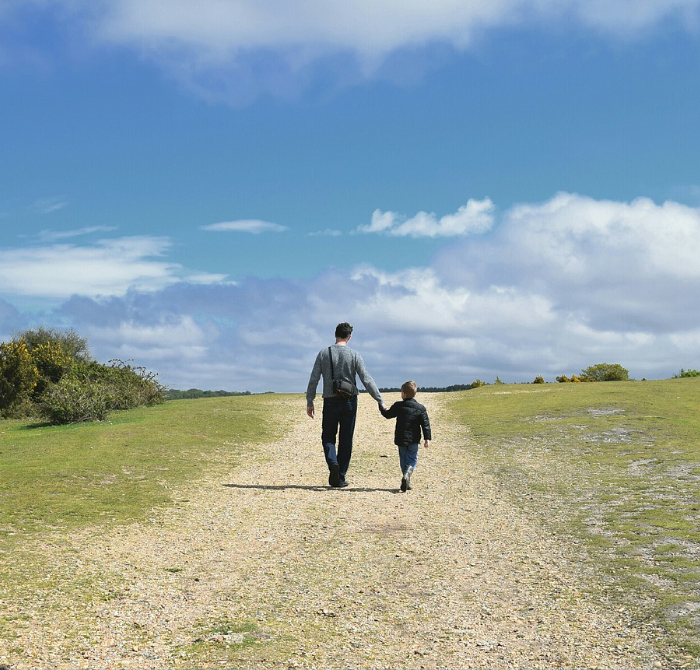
[{"x": 339, "y": 363}]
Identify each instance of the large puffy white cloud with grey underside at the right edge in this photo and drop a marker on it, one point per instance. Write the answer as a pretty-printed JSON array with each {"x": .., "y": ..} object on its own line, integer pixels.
[{"x": 628, "y": 266}]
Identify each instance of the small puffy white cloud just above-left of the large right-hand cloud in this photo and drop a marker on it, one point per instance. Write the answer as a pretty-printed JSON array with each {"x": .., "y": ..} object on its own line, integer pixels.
[{"x": 473, "y": 218}]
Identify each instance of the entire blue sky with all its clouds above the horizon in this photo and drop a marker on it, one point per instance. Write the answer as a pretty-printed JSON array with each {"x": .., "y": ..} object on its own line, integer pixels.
[{"x": 482, "y": 188}]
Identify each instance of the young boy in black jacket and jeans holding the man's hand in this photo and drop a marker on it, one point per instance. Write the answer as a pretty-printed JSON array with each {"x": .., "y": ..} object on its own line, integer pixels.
[{"x": 411, "y": 417}]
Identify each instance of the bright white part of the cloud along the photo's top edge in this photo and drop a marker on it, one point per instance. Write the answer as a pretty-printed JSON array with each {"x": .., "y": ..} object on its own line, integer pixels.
[{"x": 216, "y": 29}]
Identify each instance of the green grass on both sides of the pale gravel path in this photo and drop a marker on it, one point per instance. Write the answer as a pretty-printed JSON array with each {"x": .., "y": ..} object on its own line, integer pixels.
[{"x": 612, "y": 468}]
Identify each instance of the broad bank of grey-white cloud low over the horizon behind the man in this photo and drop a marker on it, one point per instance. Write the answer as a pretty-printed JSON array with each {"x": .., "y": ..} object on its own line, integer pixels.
[{"x": 554, "y": 287}]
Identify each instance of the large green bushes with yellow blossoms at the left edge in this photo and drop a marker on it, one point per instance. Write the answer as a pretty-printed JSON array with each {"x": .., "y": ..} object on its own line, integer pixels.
[{"x": 49, "y": 374}]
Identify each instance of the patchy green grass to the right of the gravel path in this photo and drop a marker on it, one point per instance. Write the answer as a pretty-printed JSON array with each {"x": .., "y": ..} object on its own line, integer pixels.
[{"x": 613, "y": 467}]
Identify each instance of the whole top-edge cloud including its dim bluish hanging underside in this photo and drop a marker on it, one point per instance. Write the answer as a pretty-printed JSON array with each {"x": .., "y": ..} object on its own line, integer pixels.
[{"x": 236, "y": 50}]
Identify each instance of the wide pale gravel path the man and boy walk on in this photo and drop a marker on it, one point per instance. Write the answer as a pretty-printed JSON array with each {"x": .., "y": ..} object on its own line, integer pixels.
[{"x": 262, "y": 565}]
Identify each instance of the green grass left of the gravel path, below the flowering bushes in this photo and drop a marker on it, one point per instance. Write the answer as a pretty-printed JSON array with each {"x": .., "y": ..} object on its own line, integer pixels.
[{"x": 68, "y": 477}]
